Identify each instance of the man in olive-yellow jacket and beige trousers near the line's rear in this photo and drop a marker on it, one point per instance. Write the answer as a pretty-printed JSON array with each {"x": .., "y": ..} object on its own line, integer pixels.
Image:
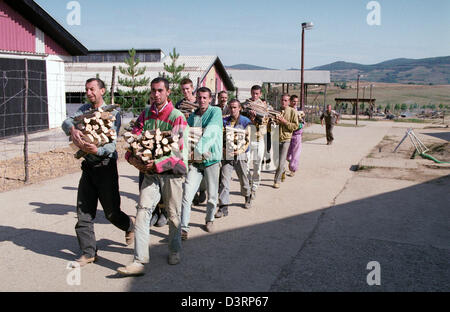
[{"x": 288, "y": 121}]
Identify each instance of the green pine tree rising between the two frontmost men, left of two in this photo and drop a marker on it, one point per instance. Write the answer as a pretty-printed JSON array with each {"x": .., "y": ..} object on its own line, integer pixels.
[{"x": 137, "y": 93}]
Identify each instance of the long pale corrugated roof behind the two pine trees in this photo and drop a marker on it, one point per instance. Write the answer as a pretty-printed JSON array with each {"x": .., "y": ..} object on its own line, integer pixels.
[{"x": 77, "y": 73}]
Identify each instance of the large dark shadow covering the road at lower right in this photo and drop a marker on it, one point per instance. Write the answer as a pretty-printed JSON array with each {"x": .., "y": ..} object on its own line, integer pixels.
[{"x": 405, "y": 231}]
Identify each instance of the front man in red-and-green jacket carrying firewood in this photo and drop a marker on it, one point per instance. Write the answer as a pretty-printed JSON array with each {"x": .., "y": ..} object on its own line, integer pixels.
[{"x": 164, "y": 175}]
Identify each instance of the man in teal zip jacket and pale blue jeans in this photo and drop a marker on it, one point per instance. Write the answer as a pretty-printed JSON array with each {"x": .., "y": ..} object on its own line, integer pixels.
[{"x": 207, "y": 156}]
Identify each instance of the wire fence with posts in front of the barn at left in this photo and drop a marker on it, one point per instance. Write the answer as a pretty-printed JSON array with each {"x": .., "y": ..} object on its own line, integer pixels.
[{"x": 33, "y": 105}]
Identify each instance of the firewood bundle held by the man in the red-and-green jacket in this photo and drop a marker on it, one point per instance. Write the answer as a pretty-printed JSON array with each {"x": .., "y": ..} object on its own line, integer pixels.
[{"x": 151, "y": 144}]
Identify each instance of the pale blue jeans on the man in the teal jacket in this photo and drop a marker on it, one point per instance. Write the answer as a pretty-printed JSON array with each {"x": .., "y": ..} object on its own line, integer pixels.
[{"x": 194, "y": 178}]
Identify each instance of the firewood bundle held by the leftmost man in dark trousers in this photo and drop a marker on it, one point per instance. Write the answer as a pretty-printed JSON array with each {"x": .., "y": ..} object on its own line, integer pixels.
[{"x": 97, "y": 127}]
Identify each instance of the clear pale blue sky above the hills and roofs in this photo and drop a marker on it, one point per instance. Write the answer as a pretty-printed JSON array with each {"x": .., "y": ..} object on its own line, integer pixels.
[{"x": 263, "y": 33}]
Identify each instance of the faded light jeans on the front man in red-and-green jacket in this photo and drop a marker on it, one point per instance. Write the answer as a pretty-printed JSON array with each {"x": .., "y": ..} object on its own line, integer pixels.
[{"x": 154, "y": 187}]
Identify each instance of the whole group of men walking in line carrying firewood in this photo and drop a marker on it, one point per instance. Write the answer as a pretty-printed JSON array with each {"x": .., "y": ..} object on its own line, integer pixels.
[{"x": 175, "y": 179}]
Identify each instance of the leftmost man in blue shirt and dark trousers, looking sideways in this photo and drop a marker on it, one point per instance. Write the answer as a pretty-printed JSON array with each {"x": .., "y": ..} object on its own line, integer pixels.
[{"x": 99, "y": 179}]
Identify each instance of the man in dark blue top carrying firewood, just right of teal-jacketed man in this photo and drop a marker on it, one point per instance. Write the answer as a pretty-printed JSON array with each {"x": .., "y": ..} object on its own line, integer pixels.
[{"x": 236, "y": 145}]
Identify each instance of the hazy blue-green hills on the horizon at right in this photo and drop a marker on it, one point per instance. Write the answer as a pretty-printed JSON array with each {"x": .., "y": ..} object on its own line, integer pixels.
[{"x": 435, "y": 70}]
